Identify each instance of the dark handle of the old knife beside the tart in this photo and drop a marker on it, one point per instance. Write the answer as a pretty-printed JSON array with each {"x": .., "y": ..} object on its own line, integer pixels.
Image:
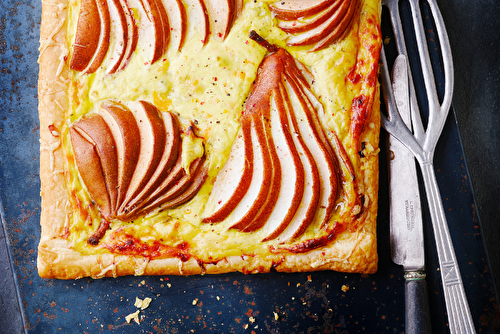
[{"x": 417, "y": 314}]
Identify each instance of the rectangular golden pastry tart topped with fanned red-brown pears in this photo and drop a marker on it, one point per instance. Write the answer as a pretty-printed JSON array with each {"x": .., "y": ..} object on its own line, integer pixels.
[{"x": 208, "y": 136}]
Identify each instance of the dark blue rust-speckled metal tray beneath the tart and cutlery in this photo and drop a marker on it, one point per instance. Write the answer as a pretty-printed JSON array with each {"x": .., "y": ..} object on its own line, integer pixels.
[{"x": 231, "y": 303}]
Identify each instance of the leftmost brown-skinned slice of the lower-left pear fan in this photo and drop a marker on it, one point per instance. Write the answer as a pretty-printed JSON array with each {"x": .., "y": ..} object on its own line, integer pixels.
[{"x": 89, "y": 167}]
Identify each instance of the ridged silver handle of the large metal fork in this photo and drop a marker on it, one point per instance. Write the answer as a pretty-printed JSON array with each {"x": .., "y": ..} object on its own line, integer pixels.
[{"x": 459, "y": 316}]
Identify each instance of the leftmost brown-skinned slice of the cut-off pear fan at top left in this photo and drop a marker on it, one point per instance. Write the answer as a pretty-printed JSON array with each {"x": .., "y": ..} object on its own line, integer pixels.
[{"x": 92, "y": 36}]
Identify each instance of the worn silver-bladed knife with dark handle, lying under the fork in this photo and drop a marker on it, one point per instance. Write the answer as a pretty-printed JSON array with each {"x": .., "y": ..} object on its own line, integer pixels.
[{"x": 405, "y": 213}]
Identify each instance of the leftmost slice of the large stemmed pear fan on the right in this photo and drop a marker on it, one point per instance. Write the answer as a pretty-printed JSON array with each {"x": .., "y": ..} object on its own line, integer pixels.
[{"x": 232, "y": 181}]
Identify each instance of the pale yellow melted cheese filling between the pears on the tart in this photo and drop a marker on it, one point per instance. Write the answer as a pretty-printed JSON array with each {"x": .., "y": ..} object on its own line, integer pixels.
[{"x": 208, "y": 85}]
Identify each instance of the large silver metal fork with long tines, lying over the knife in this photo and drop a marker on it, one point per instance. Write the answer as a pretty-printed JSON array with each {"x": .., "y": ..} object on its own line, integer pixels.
[{"x": 422, "y": 143}]
